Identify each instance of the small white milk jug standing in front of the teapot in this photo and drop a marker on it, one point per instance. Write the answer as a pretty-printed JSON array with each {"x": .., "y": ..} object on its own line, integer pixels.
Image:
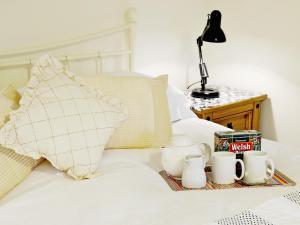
[{"x": 193, "y": 175}]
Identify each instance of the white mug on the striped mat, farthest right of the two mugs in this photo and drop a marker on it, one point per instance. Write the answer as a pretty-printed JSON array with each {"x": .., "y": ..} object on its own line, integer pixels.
[{"x": 258, "y": 168}]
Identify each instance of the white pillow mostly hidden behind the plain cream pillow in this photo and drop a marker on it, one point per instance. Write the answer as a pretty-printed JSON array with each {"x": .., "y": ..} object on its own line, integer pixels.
[{"x": 178, "y": 104}]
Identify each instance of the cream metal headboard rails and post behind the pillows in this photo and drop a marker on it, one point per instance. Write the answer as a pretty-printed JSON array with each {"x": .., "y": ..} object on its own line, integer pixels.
[{"x": 24, "y": 59}]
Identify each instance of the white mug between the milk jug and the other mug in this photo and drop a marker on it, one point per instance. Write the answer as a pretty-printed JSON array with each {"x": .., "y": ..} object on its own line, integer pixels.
[{"x": 223, "y": 168}]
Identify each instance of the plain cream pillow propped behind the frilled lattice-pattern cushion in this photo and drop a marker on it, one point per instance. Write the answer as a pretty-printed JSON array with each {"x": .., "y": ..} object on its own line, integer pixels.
[{"x": 148, "y": 123}]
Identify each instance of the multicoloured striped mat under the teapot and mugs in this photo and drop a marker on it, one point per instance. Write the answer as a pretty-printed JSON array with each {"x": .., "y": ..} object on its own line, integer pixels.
[{"x": 279, "y": 179}]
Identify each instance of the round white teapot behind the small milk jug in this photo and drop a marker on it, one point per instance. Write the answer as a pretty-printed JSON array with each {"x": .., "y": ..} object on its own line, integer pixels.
[{"x": 181, "y": 146}]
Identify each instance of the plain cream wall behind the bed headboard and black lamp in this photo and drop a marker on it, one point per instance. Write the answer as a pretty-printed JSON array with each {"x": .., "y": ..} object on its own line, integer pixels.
[{"x": 261, "y": 52}]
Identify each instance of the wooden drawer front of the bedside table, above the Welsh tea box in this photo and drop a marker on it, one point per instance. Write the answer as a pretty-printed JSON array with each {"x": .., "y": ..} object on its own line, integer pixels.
[{"x": 239, "y": 121}]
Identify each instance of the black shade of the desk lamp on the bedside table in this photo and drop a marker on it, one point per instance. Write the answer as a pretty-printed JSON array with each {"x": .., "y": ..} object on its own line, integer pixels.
[{"x": 213, "y": 31}]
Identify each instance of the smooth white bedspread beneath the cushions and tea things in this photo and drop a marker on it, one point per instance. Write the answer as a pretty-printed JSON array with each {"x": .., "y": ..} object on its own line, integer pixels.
[{"x": 131, "y": 192}]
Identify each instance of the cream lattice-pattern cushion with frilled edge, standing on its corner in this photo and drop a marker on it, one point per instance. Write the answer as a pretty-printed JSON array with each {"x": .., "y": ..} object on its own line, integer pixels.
[{"x": 62, "y": 120}]
